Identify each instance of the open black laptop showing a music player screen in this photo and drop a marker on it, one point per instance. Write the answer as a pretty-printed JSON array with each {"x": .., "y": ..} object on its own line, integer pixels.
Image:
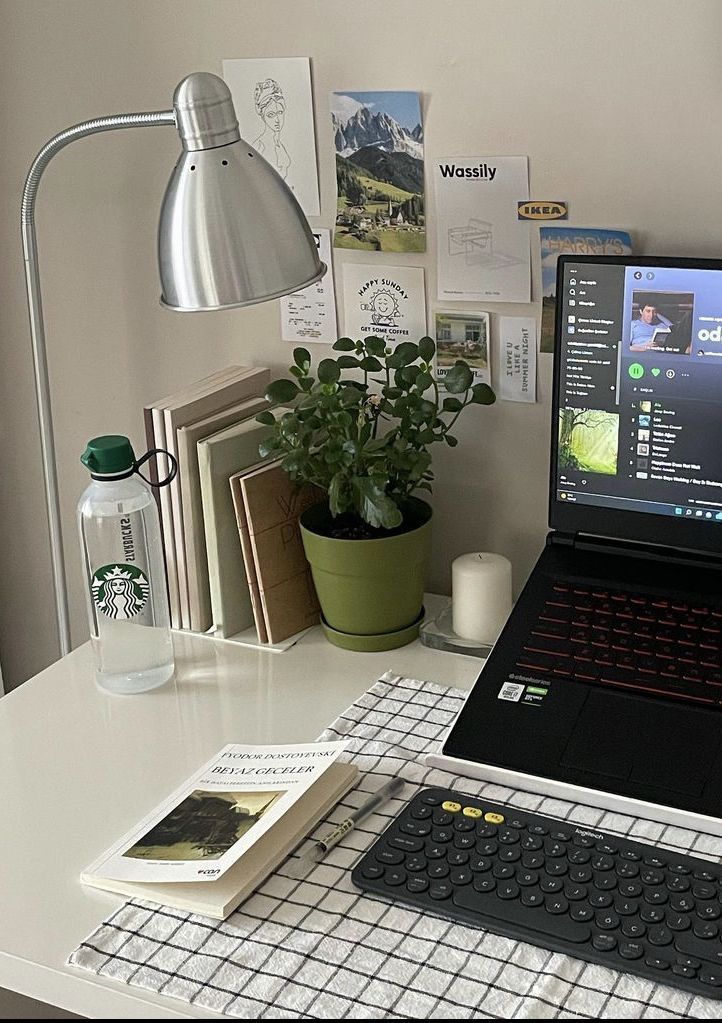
[{"x": 606, "y": 685}]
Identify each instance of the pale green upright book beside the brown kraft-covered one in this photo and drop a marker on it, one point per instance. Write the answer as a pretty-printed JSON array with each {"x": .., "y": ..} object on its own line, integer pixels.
[{"x": 220, "y": 457}]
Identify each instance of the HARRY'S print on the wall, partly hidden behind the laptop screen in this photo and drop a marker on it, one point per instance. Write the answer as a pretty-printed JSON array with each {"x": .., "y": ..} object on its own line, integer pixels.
[{"x": 557, "y": 242}]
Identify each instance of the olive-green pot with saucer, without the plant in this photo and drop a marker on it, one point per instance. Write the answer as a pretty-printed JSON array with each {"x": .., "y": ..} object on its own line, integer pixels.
[{"x": 371, "y": 592}]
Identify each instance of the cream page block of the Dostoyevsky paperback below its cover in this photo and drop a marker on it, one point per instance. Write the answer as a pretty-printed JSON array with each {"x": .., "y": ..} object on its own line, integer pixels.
[{"x": 218, "y": 899}]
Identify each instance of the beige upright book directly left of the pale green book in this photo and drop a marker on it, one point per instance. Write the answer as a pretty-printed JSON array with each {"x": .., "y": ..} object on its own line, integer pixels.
[{"x": 193, "y": 511}]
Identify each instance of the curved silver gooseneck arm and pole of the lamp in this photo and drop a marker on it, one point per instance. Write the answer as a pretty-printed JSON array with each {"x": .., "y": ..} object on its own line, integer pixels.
[{"x": 37, "y": 331}]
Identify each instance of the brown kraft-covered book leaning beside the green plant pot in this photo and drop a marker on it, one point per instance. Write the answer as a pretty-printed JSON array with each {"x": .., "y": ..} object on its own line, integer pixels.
[{"x": 267, "y": 505}]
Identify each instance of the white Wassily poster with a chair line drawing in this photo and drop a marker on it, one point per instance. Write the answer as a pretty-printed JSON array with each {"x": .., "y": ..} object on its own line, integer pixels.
[{"x": 483, "y": 252}]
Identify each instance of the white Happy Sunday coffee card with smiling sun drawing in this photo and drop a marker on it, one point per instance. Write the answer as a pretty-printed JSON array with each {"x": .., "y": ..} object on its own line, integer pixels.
[{"x": 389, "y": 302}]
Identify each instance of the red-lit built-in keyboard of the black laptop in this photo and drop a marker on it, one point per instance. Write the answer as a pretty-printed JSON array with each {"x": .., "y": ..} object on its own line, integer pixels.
[{"x": 628, "y": 641}]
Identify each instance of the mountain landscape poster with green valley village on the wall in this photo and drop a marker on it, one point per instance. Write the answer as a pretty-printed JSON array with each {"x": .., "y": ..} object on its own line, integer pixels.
[{"x": 380, "y": 171}]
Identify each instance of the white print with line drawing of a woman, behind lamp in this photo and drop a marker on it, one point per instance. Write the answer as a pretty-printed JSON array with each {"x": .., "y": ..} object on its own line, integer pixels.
[{"x": 274, "y": 104}]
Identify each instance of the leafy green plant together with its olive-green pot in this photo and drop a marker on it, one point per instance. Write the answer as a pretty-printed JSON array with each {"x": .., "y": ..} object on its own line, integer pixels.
[{"x": 362, "y": 430}]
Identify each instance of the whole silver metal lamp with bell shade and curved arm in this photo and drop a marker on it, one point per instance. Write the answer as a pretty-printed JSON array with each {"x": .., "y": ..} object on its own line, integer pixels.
[{"x": 232, "y": 234}]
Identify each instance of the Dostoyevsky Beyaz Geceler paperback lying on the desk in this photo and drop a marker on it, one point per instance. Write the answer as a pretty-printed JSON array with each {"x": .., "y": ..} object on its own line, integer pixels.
[{"x": 213, "y": 841}]
